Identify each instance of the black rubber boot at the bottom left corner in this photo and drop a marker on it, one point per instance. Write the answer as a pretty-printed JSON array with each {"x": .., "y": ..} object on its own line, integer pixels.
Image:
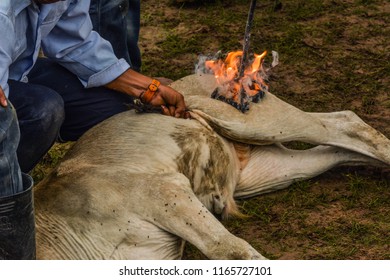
[{"x": 17, "y": 224}]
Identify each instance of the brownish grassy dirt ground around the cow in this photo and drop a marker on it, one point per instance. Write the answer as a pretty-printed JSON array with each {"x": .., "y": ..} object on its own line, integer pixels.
[{"x": 334, "y": 55}]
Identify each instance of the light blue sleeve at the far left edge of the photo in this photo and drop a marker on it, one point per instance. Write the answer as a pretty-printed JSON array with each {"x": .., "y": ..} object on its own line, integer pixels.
[{"x": 7, "y": 43}]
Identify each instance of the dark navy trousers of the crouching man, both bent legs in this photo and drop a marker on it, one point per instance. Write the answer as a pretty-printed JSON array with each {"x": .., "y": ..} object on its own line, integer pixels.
[{"x": 53, "y": 105}]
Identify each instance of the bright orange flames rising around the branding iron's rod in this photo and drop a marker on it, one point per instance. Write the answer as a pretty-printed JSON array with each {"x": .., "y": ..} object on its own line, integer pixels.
[{"x": 228, "y": 77}]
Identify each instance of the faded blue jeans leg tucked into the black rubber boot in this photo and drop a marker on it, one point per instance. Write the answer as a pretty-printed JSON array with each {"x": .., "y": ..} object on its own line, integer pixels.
[{"x": 10, "y": 175}]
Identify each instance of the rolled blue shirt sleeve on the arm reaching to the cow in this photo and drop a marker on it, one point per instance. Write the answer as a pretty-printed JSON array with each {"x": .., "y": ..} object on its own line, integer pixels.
[{"x": 74, "y": 45}]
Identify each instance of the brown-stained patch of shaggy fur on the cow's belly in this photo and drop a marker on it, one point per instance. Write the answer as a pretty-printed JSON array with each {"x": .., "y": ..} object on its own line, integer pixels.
[{"x": 206, "y": 162}]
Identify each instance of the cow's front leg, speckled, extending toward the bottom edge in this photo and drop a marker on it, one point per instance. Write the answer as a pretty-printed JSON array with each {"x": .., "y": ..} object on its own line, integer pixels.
[{"x": 174, "y": 208}]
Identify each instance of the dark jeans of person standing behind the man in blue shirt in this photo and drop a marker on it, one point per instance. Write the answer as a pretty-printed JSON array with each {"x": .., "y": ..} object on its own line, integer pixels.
[{"x": 118, "y": 21}]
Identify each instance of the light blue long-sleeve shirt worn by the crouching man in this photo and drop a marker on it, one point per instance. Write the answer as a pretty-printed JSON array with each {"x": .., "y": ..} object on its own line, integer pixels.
[{"x": 64, "y": 32}]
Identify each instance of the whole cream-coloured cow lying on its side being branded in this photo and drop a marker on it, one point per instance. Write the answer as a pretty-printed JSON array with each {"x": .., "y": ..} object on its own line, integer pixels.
[{"x": 137, "y": 186}]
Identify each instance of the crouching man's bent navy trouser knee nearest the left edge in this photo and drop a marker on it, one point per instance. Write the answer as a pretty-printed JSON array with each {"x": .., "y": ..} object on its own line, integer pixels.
[{"x": 40, "y": 112}]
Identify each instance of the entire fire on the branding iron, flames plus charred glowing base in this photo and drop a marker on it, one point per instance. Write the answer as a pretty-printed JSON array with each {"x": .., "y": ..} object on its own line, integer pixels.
[{"x": 235, "y": 85}]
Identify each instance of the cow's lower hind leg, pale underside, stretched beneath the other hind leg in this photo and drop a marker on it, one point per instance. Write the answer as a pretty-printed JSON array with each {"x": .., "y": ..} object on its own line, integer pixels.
[{"x": 275, "y": 167}]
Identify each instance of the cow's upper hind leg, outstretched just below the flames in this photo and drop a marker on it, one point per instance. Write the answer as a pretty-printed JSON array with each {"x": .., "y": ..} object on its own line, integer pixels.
[{"x": 274, "y": 121}]
